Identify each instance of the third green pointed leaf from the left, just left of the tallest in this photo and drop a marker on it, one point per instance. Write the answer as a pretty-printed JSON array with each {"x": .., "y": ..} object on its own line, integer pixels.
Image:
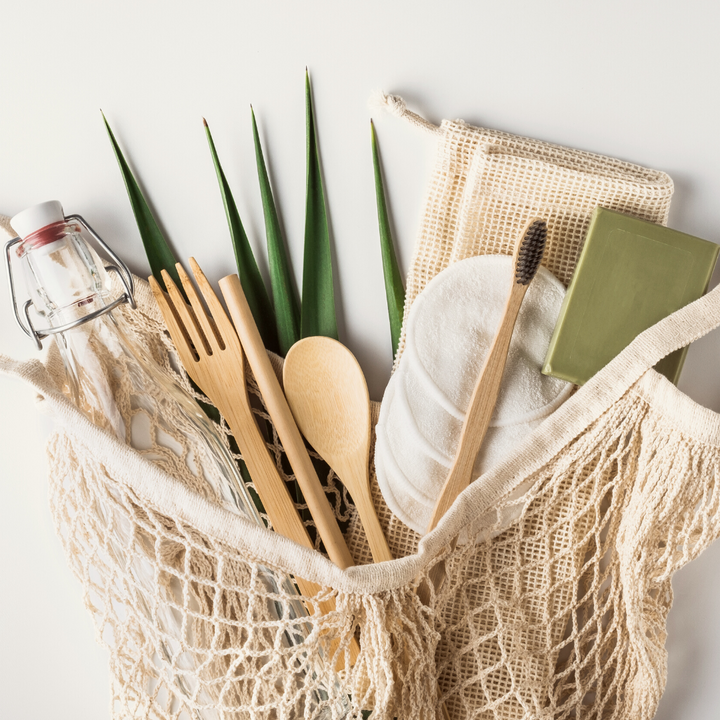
[{"x": 287, "y": 308}]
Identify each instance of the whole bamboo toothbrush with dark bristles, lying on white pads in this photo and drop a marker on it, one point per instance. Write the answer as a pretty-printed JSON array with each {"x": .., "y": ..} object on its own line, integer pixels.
[{"x": 527, "y": 257}]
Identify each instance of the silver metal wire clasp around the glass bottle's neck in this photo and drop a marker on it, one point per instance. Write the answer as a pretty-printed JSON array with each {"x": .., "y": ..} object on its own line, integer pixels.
[{"x": 117, "y": 266}]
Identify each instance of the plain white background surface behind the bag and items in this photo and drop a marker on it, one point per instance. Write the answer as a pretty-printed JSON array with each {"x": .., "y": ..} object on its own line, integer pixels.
[{"x": 636, "y": 80}]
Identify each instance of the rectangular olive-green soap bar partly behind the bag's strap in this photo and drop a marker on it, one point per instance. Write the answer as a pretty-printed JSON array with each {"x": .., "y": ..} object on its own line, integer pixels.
[{"x": 631, "y": 274}]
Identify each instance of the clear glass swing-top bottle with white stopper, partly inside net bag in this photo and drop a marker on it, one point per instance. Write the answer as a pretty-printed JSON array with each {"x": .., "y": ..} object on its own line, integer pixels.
[{"x": 113, "y": 380}]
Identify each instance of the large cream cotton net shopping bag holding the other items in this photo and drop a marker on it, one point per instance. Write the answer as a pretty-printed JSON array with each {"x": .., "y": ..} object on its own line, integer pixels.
[{"x": 559, "y": 613}]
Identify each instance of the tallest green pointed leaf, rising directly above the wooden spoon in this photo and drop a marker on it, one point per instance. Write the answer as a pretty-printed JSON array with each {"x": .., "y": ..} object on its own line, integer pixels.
[{"x": 318, "y": 297}]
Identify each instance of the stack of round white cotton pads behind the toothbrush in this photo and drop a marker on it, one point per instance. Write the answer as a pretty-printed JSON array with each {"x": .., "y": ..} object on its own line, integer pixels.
[{"x": 450, "y": 329}]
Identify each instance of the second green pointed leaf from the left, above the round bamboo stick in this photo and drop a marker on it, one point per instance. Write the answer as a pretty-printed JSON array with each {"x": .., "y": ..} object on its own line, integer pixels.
[{"x": 250, "y": 278}]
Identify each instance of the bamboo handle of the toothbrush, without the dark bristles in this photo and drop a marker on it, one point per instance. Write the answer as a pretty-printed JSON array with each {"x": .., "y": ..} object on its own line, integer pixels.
[{"x": 480, "y": 410}]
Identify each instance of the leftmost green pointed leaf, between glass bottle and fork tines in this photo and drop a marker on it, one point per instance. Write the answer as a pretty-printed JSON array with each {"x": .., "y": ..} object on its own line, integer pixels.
[{"x": 158, "y": 252}]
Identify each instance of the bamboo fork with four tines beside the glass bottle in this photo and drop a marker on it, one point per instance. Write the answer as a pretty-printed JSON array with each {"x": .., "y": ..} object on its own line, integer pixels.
[{"x": 213, "y": 357}]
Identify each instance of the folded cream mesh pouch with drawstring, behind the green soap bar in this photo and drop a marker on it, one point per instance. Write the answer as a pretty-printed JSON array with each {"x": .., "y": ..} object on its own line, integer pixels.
[{"x": 487, "y": 184}]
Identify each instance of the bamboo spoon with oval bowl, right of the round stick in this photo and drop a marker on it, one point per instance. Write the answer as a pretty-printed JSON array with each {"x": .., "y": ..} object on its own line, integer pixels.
[{"x": 328, "y": 396}]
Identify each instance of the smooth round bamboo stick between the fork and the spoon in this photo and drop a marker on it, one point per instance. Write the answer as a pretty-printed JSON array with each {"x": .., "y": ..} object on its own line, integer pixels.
[{"x": 284, "y": 422}]
